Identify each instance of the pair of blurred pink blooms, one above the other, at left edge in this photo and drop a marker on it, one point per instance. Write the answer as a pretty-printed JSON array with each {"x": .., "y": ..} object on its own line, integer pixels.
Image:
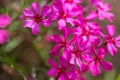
[{"x": 5, "y": 20}]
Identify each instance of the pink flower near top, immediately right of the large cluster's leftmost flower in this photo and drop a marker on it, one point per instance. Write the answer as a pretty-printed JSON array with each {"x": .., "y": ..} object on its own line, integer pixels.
[{"x": 63, "y": 14}]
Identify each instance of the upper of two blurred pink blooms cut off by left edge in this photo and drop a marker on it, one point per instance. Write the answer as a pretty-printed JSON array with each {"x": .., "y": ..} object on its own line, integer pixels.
[{"x": 5, "y": 20}]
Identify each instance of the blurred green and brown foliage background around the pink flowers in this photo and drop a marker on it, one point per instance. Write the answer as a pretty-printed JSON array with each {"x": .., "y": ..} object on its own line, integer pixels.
[{"x": 26, "y": 55}]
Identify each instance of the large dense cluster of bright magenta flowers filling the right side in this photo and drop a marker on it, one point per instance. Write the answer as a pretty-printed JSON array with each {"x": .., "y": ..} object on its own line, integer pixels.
[{"x": 83, "y": 44}]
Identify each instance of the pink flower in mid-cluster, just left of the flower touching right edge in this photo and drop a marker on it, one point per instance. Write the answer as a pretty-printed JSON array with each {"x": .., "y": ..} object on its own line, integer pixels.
[{"x": 87, "y": 34}]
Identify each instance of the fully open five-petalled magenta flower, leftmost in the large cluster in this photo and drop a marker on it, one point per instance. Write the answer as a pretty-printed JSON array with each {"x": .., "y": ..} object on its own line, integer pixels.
[{"x": 34, "y": 17}]
